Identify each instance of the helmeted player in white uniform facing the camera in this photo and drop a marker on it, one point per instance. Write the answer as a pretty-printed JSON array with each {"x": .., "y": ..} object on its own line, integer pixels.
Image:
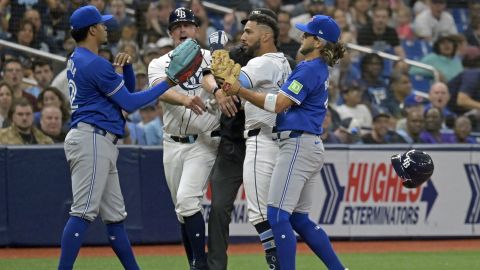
[{"x": 191, "y": 138}]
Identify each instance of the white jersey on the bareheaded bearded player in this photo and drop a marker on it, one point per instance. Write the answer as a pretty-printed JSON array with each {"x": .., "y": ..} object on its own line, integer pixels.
[{"x": 266, "y": 74}]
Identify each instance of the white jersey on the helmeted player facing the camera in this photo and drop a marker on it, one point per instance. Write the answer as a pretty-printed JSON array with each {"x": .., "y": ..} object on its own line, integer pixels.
[{"x": 179, "y": 120}]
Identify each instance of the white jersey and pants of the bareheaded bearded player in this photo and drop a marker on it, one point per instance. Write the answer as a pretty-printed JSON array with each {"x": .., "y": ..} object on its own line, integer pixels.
[{"x": 266, "y": 74}]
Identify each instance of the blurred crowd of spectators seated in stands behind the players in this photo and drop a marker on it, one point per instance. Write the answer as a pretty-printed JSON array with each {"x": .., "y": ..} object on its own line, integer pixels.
[{"x": 372, "y": 100}]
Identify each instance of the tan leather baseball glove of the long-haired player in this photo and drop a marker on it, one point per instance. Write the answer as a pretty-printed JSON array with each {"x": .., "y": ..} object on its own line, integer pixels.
[{"x": 226, "y": 71}]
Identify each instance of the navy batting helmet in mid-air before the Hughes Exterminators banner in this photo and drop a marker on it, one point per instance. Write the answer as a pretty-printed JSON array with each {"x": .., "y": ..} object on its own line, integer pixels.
[{"x": 414, "y": 167}]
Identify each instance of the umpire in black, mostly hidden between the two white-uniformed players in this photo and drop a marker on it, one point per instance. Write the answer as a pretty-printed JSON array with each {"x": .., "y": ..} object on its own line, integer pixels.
[{"x": 227, "y": 175}]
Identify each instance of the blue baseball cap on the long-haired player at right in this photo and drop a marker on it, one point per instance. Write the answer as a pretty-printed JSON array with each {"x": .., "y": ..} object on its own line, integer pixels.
[{"x": 323, "y": 27}]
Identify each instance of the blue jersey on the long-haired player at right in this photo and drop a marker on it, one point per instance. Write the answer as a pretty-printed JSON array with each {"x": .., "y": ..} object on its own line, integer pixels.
[{"x": 307, "y": 85}]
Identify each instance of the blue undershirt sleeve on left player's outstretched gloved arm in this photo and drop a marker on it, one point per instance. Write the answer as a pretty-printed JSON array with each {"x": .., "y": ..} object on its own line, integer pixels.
[{"x": 131, "y": 102}]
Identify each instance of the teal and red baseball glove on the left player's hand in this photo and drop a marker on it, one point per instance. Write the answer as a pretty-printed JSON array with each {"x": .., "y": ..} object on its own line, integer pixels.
[{"x": 186, "y": 59}]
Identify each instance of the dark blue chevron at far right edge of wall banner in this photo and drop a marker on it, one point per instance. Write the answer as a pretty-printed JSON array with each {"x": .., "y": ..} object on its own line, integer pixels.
[{"x": 473, "y": 175}]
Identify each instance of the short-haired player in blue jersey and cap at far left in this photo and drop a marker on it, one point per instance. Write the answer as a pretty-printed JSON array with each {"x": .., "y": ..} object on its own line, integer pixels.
[{"x": 97, "y": 97}]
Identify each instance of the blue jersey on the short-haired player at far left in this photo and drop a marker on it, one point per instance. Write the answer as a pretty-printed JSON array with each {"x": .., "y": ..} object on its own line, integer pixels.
[{"x": 91, "y": 81}]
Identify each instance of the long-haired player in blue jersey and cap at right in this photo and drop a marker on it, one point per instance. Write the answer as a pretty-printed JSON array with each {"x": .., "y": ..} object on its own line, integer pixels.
[{"x": 301, "y": 106}]
